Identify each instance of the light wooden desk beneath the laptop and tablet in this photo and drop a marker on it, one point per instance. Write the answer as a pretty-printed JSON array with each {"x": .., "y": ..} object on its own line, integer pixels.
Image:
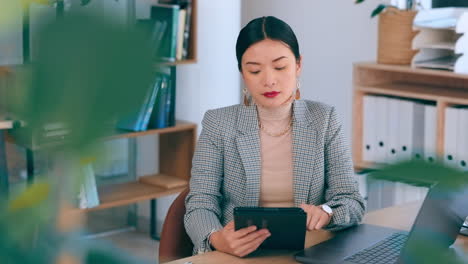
[{"x": 399, "y": 217}]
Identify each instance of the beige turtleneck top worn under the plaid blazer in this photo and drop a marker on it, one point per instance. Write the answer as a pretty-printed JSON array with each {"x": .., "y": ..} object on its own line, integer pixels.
[{"x": 276, "y": 188}]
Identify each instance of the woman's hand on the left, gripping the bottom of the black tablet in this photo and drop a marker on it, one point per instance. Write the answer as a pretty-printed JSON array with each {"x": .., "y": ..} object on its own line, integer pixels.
[{"x": 238, "y": 243}]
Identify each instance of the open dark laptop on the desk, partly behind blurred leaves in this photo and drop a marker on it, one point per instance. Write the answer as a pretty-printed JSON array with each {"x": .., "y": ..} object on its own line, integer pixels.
[{"x": 439, "y": 220}]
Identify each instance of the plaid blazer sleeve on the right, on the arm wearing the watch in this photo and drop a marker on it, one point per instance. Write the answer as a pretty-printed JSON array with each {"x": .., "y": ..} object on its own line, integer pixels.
[{"x": 341, "y": 191}]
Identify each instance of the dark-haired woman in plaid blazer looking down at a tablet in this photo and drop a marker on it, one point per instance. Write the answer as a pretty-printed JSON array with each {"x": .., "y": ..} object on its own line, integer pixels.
[{"x": 273, "y": 151}]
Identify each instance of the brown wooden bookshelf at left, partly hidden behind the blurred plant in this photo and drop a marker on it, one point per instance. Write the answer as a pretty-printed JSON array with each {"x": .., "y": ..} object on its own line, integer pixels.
[{"x": 176, "y": 146}]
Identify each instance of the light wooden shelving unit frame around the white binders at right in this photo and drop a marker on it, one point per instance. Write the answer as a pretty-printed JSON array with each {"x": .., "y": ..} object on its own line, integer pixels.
[{"x": 443, "y": 88}]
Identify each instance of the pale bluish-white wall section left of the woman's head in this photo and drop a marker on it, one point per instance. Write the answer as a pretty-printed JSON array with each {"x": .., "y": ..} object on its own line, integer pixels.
[{"x": 214, "y": 81}]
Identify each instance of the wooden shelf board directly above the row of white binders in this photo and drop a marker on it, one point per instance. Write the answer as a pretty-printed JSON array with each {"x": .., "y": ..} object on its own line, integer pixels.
[{"x": 415, "y": 91}]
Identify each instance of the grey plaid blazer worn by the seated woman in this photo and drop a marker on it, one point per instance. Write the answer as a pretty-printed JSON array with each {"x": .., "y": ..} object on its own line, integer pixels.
[{"x": 226, "y": 168}]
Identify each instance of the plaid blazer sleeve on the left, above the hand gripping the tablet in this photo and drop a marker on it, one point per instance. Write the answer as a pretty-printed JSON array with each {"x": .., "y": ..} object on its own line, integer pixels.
[{"x": 203, "y": 212}]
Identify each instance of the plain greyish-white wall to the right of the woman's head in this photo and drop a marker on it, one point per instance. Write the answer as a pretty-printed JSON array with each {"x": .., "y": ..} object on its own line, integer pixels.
[{"x": 332, "y": 35}]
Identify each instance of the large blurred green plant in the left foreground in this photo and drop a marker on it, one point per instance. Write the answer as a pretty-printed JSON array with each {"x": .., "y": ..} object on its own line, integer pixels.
[{"x": 86, "y": 73}]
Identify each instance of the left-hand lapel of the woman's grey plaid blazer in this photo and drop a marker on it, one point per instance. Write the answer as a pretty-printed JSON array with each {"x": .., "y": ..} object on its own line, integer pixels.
[{"x": 248, "y": 145}]
